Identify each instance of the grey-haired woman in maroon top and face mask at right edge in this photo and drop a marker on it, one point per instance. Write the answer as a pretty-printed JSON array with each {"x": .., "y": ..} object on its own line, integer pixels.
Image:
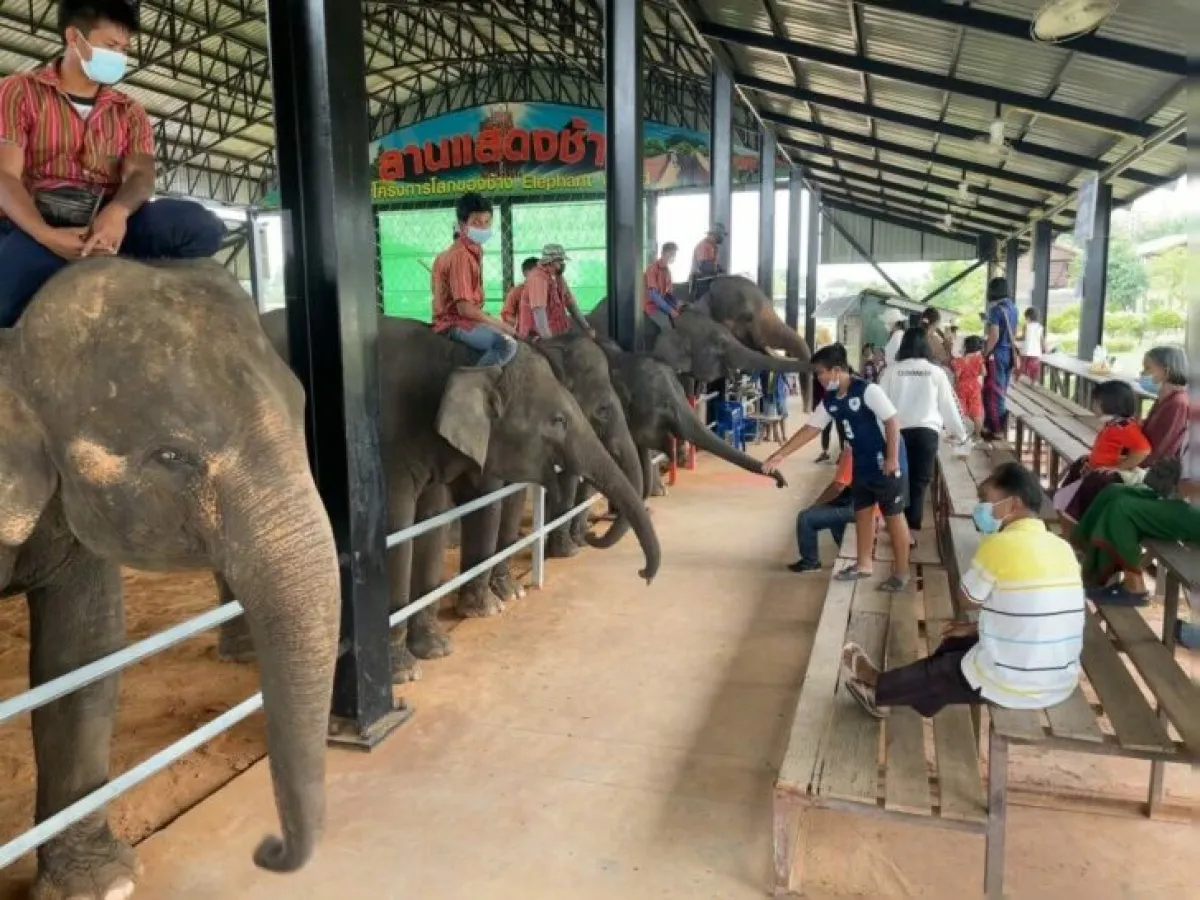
[{"x": 1166, "y": 371}]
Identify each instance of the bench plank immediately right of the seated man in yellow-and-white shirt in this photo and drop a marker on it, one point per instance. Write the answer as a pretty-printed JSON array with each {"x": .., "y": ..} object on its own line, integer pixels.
[{"x": 1135, "y": 723}]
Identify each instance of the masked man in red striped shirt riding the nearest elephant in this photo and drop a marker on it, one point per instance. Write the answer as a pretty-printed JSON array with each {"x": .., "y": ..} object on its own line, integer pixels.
[{"x": 77, "y": 164}]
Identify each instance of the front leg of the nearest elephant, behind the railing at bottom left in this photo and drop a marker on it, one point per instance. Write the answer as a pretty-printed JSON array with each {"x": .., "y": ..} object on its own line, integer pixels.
[{"x": 76, "y": 621}]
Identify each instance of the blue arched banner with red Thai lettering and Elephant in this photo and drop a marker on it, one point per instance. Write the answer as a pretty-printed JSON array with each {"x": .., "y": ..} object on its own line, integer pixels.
[{"x": 531, "y": 149}]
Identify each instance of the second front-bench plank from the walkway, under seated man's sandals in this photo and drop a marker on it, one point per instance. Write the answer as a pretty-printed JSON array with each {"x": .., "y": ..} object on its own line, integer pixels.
[{"x": 850, "y": 759}]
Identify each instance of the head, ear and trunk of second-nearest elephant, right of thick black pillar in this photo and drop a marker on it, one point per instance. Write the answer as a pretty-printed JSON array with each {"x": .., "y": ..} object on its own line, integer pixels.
[{"x": 519, "y": 422}]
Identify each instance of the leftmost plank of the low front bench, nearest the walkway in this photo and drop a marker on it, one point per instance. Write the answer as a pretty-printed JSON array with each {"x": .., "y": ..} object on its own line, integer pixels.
[{"x": 817, "y": 700}]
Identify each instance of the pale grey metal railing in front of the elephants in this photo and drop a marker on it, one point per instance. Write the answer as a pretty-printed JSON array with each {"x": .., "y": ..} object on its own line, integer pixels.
[{"x": 123, "y": 659}]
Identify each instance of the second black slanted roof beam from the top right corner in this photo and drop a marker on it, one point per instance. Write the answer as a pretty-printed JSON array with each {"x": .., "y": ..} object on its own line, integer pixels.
[{"x": 1029, "y": 103}]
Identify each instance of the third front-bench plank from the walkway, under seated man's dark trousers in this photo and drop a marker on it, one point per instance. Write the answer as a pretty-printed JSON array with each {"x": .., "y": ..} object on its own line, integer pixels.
[{"x": 907, "y": 787}]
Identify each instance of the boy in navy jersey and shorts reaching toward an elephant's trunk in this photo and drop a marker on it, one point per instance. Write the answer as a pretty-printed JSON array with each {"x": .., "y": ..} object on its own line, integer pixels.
[{"x": 869, "y": 422}]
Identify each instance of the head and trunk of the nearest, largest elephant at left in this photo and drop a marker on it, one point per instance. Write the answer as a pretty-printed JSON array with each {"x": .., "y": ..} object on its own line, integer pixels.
[{"x": 147, "y": 404}]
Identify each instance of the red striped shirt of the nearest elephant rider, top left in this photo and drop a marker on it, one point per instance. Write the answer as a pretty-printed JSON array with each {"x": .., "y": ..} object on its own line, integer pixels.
[{"x": 62, "y": 148}]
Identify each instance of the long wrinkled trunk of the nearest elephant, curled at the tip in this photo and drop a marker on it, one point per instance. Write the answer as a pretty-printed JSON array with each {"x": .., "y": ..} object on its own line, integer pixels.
[{"x": 281, "y": 563}]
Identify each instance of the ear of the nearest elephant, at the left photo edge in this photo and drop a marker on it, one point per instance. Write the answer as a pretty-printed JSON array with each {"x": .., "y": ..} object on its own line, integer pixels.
[{"x": 28, "y": 478}]
